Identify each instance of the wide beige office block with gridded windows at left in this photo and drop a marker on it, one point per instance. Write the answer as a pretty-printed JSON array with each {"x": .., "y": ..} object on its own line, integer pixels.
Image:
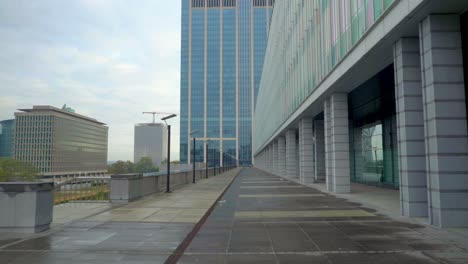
[{"x": 59, "y": 142}]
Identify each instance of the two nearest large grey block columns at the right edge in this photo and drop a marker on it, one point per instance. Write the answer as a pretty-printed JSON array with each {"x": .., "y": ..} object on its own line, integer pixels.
[{"x": 432, "y": 126}]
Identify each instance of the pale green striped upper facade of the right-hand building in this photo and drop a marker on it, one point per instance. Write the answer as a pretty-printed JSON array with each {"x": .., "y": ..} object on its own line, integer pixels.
[{"x": 307, "y": 39}]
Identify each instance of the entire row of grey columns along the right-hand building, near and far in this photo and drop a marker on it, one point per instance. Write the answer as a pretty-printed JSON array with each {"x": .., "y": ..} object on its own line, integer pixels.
[{"x": 431, "y": 130}]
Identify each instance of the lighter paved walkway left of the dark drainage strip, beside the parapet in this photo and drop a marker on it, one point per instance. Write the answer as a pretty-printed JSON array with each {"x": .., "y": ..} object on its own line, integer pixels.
[{"x": 145, "y": 231}]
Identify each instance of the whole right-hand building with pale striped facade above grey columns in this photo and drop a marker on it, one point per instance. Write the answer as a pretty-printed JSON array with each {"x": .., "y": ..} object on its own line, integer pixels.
[{"x": 371, "y": 92}]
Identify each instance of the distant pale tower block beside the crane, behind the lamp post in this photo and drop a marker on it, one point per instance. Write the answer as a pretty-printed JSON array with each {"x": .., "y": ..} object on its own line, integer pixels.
[{"x": 150, "y": 141}]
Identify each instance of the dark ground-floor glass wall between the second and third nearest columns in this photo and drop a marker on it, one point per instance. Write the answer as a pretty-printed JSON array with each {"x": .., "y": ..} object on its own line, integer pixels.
[{"x": 373, "y": 138}]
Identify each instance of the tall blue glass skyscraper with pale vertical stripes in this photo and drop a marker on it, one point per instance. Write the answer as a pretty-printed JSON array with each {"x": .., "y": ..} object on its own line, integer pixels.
[{"x": 222, "y": 52}]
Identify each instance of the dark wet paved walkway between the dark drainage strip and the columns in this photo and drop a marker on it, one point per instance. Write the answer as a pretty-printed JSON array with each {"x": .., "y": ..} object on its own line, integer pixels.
[{"x": 266, "y": 219}]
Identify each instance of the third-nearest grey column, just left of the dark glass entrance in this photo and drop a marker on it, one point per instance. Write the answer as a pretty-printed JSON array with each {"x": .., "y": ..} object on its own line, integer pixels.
[{"x": 340, "y": 142}]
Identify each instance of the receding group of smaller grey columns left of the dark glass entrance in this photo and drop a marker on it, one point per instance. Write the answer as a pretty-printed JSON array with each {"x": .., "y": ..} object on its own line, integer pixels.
[{"x": 315, "y": 151}]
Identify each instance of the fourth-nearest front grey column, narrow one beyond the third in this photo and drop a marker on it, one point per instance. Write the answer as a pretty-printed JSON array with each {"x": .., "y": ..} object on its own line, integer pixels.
[{"x": 306, "y": 152}]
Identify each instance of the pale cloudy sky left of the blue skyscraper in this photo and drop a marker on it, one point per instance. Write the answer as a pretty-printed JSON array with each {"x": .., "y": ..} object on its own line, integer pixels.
[{"x": 107, "y": 59}]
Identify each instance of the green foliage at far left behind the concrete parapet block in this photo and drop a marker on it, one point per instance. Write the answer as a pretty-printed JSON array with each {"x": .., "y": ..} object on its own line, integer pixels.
[{"x": 12, "y": 170}]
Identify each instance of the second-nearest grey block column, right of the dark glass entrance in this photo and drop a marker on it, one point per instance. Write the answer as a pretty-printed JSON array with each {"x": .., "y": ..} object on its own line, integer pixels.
[{"x": 410, "y": 123}]
